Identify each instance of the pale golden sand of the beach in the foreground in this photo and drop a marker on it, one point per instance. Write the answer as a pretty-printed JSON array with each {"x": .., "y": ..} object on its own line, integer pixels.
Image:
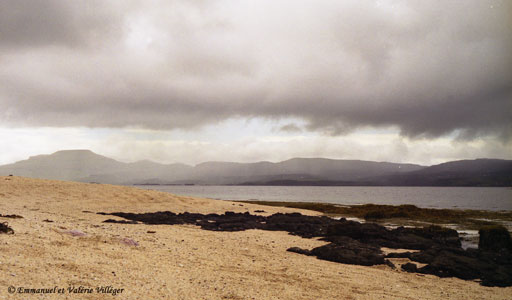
[{"x": 179, "y": 262}]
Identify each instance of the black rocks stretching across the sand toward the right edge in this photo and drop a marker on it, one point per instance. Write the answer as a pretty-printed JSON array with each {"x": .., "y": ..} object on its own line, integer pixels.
[{"x": 352, "y": 242}]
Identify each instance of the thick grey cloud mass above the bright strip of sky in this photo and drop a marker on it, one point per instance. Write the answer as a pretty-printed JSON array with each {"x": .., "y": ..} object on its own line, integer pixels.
[{"x": 428, "y": 67}]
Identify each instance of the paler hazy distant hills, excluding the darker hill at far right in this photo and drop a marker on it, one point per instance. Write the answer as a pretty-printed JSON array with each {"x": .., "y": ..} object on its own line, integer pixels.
[{"x": 86, "y": 166}]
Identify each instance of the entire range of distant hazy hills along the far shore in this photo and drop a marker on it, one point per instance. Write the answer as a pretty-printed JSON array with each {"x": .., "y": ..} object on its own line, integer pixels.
[{"x": 86, "y": 166}]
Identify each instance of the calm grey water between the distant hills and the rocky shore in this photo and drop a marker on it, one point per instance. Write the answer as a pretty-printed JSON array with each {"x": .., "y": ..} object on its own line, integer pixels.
[{"x": 427, "y": 197}]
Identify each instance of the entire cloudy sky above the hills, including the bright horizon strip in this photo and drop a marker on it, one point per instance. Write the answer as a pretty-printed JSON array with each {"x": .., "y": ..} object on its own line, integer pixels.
[{"x": 211, "y": 80}]
